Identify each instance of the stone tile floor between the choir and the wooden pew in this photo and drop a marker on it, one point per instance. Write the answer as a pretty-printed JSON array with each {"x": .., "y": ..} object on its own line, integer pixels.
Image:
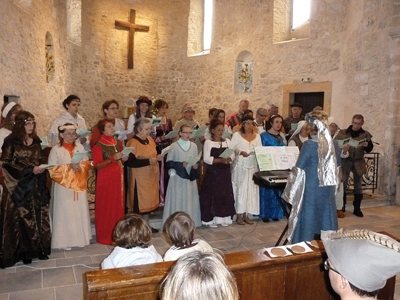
[{"x": 60, "y": 277}]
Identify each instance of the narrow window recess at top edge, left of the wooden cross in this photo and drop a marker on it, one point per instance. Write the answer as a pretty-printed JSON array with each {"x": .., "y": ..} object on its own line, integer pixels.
[{"x": 74, "y": 21}]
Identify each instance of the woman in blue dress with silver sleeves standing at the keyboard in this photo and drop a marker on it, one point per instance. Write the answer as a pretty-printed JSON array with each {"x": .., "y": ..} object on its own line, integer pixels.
[{"x": 311, "y": 187}]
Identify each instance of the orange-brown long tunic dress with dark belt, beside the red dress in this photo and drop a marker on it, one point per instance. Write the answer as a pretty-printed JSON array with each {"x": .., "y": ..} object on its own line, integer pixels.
[{"x": 143, "y": 191}]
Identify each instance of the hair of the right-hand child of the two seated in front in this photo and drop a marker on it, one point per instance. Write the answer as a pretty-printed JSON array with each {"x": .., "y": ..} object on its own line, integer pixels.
[{"x": 180, "y": 228}]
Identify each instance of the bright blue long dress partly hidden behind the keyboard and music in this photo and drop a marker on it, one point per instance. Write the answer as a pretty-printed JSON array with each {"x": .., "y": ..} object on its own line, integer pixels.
[{"x": 269, "y": 203}]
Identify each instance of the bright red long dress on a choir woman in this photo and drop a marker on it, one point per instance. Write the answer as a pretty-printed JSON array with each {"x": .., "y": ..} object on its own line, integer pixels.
[{"x": 110, "y": 191}]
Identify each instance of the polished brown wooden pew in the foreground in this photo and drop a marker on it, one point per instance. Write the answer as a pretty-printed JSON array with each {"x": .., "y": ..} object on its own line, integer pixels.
[{"x": 294, "y": 277}]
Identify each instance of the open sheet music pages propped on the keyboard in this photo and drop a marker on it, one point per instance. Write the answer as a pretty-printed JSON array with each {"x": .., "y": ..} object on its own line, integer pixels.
[{"x": 271, "y": 158}]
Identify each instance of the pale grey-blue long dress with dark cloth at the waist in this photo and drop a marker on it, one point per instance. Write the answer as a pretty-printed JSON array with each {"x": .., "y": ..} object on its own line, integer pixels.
[{"x": 182, "y": 193}]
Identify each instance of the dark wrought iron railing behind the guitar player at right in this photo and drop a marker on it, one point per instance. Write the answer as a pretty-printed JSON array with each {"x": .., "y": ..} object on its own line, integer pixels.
[{"x": 370, "y": 177}]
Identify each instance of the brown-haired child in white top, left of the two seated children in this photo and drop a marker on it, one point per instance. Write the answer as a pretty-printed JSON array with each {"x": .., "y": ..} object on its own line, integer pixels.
[{"x": 132, "y": 237}]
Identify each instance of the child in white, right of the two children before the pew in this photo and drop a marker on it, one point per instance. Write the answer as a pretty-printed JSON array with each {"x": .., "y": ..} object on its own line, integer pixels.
[{"x": 180, "y": 229}]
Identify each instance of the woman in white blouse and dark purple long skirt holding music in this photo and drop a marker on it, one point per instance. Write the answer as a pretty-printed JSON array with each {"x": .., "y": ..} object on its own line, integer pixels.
[{"x": 216, "y": 197}]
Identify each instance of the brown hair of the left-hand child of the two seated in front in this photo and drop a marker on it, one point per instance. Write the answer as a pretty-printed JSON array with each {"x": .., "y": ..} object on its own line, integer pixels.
[{"x": 132, "y": 231}]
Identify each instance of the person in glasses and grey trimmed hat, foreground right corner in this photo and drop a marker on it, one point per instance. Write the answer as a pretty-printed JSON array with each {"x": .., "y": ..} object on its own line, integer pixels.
[{"x": 359, "y": 262}]
